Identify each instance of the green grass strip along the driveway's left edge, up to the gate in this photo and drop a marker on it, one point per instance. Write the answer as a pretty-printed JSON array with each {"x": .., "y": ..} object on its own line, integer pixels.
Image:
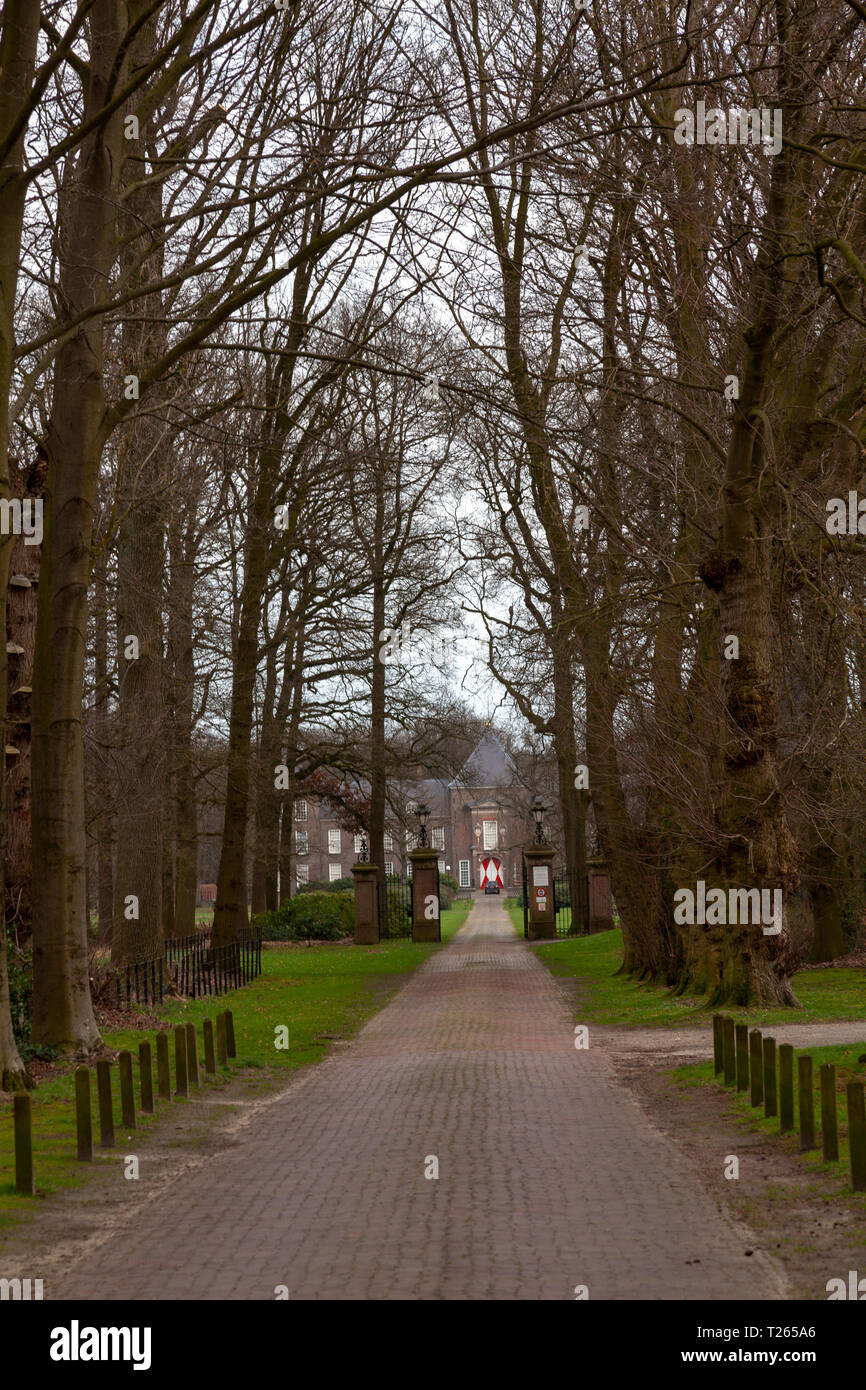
[{"x": 312, "y": 990}]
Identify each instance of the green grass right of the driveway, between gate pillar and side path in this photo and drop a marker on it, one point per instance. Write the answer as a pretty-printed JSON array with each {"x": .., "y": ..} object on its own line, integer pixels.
[{"x": 611, "y": 999}]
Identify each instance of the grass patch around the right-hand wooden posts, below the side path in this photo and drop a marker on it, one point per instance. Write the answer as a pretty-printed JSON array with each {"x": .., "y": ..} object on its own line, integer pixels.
[{"x": 847, "y": 1070}]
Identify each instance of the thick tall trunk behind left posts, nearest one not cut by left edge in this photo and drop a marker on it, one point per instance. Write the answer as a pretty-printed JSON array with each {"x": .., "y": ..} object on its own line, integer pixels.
[{"x": 63, "y": 1014}]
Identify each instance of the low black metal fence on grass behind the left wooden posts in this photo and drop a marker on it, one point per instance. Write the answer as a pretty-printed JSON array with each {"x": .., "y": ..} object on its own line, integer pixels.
[{"x": 195, "y": 967}]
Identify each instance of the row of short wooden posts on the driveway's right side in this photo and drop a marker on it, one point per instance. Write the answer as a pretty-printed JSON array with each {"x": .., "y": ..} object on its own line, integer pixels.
[{"x": 747, "y": 1061}]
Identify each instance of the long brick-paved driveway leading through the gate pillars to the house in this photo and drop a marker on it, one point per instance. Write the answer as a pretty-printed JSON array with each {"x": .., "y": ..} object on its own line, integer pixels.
[{"x": 550, "y": 1174}]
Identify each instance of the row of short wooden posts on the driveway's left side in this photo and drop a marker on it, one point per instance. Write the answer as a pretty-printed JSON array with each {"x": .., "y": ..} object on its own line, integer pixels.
[{"x": 219, "y": 1047}]
